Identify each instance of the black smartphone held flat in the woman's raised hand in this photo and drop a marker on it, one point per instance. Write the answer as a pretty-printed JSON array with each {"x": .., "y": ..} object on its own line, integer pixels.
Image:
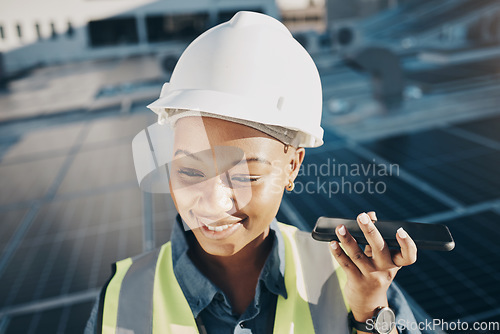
[{"x": 426, "y": 236}]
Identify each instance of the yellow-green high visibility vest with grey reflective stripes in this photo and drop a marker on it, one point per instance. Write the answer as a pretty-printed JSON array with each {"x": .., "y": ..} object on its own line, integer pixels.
[{"x": 143, "y": 296}]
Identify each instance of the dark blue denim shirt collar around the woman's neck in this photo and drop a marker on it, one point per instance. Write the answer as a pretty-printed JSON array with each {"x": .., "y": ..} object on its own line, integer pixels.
[{"x": 199, "y": 290}]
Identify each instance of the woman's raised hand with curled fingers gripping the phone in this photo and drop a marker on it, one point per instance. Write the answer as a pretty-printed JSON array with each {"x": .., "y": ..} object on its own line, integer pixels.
[{"x": 370, "y": 273}]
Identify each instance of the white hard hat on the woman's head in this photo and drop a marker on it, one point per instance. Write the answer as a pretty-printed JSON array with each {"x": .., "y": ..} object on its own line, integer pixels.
[{"x": 249, "y": 68}]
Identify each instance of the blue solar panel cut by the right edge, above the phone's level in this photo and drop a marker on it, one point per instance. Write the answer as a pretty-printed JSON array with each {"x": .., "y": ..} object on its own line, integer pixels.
[{"x": 463, "y": 169}]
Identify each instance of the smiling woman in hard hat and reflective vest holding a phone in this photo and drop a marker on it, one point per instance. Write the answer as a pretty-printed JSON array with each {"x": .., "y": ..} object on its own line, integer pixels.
[{"x": 242, "y": 103}]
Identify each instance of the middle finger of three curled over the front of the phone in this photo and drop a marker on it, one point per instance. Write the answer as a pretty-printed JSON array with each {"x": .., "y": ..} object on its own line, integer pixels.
[{"x": 380, "y": 250}]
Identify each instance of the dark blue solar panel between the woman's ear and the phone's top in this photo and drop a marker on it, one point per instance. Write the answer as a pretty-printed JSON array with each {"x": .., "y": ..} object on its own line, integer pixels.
[{"x": 351, "y": 194}]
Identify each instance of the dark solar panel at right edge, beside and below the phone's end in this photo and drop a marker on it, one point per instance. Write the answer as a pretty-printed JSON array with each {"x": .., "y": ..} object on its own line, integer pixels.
[{"x": 463, "y": 282}]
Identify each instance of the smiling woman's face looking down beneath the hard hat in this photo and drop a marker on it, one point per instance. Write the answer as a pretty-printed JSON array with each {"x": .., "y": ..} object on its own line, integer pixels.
[{"x": 227, "y": 181}]
